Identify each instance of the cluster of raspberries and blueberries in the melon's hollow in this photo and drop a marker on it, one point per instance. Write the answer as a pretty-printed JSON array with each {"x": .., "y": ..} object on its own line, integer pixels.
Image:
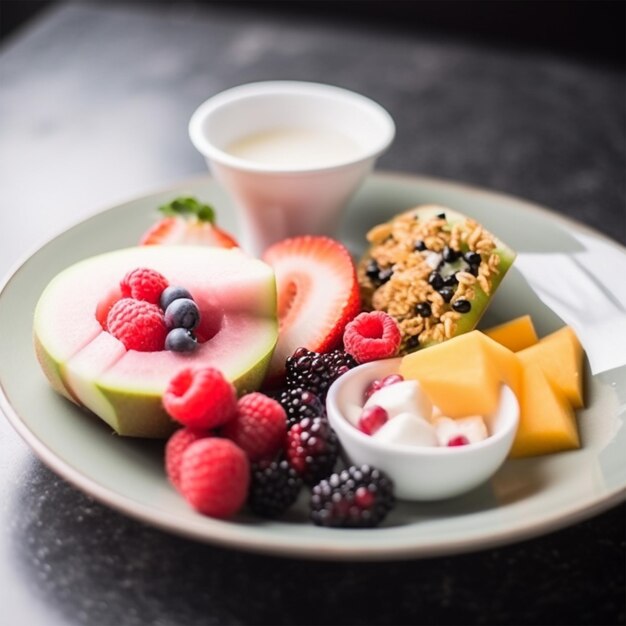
[{"x": 153, "y": 315}]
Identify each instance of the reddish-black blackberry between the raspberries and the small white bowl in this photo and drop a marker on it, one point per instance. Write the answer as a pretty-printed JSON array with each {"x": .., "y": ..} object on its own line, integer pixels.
[{"x": 312, "y": 449}]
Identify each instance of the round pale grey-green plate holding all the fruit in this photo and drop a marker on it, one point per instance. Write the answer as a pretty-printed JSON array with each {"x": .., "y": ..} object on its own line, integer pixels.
[{"x": 562, "y": 267}]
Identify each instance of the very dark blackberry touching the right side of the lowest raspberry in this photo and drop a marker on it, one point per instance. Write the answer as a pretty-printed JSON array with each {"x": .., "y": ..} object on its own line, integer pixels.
[{"x": 274, "y": 487}]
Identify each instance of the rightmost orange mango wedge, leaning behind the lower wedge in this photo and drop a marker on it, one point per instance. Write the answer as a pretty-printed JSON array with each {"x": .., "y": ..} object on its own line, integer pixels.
[{"x": 560, "y": 356}]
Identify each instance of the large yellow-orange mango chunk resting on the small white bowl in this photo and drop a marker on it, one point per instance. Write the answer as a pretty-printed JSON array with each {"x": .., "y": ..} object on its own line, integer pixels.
[{"x": 463, "y": 375}]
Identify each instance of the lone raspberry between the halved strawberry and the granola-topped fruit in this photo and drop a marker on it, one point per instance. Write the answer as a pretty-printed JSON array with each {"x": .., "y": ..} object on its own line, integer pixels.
[{"x": 372, "y": 336}]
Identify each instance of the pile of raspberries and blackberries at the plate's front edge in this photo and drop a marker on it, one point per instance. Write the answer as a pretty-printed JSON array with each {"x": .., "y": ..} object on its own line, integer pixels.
[{"x": 258, "y": 451}]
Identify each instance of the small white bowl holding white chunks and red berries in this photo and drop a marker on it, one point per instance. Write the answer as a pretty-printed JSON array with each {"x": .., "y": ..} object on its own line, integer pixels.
[{"x": 420, "y": 473}]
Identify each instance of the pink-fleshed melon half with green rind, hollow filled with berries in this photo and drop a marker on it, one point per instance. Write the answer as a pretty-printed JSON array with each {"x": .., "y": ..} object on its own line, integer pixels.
[{"x": 236, "y": 295}]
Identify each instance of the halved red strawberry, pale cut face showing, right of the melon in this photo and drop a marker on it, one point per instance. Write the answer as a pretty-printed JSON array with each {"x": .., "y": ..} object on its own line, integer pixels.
[{"x": 318, "y": 294}]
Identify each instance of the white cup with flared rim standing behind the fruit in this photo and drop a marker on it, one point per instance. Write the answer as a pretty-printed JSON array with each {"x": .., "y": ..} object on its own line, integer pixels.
[{"x": 277, "y": 200}]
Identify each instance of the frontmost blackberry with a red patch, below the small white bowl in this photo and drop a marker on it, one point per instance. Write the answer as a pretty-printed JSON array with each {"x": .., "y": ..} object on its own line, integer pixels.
[{"x": 357, "y": 497}]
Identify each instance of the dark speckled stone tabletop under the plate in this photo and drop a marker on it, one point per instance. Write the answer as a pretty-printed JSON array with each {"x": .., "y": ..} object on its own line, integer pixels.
[{"x": 94, "y": 104}]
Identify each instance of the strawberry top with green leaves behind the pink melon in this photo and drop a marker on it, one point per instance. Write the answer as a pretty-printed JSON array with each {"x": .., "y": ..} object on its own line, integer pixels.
[{"x": 187, "y": 221}]
